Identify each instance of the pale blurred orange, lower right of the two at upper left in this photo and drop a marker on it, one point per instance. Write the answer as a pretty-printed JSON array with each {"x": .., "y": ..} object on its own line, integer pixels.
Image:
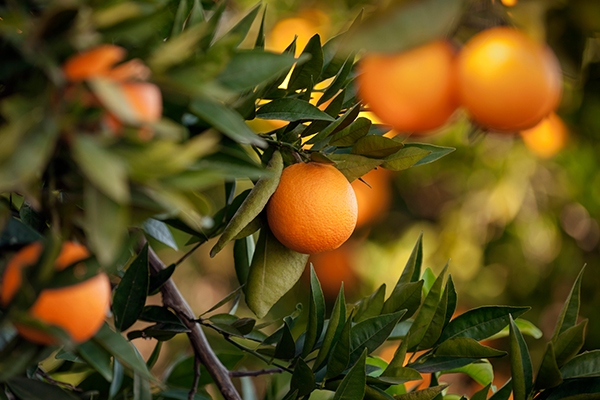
[{"x": 145, "y": 100}]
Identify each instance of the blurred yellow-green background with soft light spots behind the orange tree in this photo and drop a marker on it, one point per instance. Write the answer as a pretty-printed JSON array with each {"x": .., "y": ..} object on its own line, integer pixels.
[{"x": 516, "y": 214}]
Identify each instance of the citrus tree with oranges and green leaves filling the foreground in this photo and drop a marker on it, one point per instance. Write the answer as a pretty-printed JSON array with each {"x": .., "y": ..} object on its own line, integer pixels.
[{"x": 117, "y": 117}]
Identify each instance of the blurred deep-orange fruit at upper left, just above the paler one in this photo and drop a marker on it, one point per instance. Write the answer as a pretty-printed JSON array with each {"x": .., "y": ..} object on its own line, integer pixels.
[{"x": 92, "y": 63}]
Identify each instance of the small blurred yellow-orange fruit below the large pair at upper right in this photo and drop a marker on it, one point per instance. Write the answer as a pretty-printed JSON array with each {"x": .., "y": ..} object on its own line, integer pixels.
[{"x": 546, "y": 138}]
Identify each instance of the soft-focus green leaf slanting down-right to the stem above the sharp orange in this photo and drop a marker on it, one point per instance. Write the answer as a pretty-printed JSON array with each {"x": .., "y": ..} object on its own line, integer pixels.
[{"x": 226, "y": 120}]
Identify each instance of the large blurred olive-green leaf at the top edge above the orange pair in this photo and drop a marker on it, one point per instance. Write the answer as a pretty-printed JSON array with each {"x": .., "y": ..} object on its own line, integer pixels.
[{"x": 405, "y": 25}]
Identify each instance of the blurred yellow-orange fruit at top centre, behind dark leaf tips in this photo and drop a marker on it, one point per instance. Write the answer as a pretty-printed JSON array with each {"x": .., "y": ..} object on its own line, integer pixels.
[{"x": 305, "y": 25}]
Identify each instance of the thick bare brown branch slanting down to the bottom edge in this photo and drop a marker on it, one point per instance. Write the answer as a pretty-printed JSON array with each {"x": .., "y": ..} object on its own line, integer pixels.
[{"x": 172, "y": 298}]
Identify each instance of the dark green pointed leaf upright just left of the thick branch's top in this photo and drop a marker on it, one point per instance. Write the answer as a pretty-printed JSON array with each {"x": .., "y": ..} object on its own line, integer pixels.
[{"x": 130, "y": 296}]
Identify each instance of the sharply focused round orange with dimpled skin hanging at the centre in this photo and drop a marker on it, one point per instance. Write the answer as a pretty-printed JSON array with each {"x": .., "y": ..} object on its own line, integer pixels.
[{"x": 313, "y": 209}]
